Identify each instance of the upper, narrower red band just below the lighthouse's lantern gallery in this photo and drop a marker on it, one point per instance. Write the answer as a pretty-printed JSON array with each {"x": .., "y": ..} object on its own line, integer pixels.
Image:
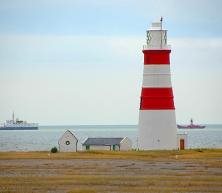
[{"x": 156, "y": 57}]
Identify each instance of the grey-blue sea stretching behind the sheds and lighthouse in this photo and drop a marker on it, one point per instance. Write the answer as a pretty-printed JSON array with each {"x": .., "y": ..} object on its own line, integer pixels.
[{"x": 47, "y": 136}]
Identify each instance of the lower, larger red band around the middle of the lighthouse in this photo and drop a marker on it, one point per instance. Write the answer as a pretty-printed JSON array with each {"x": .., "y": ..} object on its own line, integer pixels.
[{"x": 156, "y": 99}]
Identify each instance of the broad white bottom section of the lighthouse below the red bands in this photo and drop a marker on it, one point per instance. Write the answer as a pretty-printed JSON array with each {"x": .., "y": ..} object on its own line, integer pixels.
[{"x": 157, "y": 130}]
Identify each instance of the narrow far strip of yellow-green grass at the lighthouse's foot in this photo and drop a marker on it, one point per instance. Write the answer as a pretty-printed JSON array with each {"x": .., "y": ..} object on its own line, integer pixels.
[{"x": 137, "y": 155}]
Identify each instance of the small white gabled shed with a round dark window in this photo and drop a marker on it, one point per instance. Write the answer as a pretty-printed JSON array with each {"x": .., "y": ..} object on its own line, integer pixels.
[{"x": 68, "y": 142}]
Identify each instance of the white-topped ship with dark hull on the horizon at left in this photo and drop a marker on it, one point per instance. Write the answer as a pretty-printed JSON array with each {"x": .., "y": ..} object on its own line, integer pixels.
[{"x": 16, "y": 124}]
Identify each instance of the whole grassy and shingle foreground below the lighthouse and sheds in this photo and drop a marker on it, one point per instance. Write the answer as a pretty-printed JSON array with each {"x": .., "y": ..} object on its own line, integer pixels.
[{"x": 198, "y": 170}]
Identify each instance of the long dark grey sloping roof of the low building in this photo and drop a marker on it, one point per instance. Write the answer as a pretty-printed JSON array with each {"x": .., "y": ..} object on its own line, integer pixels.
[{"x": 103, "y": 141}]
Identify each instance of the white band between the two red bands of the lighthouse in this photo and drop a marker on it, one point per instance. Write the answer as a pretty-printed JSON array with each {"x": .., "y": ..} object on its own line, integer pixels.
[{"x": 157, "y": 76}]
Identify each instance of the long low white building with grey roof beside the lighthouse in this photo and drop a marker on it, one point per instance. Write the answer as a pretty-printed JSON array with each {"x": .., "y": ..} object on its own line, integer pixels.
[{"x": 119, "y": 144}]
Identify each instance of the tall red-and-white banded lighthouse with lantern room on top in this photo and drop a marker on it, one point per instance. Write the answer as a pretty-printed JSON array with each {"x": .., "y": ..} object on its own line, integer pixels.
[{"x": 157, "y": 120}]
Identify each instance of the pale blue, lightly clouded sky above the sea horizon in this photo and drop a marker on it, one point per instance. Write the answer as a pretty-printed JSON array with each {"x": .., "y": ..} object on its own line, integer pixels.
[{"x": 81, "y": 62}]
